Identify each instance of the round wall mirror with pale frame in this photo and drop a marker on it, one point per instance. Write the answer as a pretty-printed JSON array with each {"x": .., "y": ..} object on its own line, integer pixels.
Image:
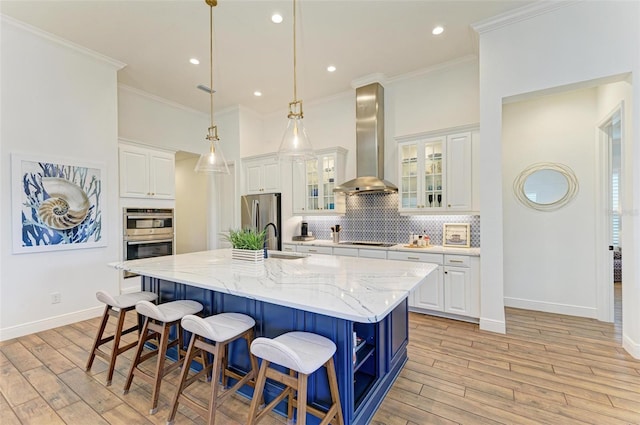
[{"x": 546, "y": 186}]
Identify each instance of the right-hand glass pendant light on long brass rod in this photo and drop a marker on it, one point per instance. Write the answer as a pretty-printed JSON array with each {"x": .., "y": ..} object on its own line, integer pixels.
[{"x": 295, "y": 143}]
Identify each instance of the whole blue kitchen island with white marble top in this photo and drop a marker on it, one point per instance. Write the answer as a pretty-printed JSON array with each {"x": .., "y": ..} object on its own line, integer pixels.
[{"x": 332, "y": 296}]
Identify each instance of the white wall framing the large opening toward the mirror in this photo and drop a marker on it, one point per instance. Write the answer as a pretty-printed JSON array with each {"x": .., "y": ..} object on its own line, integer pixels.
[{"x": 581, "y": 41}]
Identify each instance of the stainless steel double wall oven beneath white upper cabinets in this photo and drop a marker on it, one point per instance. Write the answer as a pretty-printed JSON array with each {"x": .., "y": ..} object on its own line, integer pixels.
[{"x": 148, "y": 232}]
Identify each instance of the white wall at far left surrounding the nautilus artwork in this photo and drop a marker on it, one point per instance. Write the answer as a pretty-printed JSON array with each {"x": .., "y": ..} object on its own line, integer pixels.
[{"x": 56, "y": 101}]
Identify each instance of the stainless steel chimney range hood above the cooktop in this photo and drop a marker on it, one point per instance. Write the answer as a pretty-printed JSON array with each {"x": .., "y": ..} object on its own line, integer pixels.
[{"x": 369, "y": 144}]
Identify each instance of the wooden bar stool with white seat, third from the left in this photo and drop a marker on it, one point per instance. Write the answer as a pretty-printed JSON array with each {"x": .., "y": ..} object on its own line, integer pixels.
[{"x": 222, "y": 329}]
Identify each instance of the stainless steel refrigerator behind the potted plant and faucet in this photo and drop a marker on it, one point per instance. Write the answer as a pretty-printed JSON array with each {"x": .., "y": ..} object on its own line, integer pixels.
[{"x": 259, "y": 210}]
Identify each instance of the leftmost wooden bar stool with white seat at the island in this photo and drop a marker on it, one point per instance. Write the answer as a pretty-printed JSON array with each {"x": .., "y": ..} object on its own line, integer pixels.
[{"x": 117, "y": 307}]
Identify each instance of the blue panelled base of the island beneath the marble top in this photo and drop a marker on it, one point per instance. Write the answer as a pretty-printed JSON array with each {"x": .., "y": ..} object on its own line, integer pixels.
[{"x": 363, "y": 378}]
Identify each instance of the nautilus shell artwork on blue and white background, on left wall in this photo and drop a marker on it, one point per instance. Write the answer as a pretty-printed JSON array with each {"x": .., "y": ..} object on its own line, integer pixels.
[{"x": 57, "y": 204}]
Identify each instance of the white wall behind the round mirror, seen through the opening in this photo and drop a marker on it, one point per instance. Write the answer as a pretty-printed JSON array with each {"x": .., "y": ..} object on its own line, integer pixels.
[{"x": 549, "y": 256}]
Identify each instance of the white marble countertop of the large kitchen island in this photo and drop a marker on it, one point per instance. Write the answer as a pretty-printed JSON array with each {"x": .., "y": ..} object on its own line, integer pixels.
[{"x": 357, "y": 289}]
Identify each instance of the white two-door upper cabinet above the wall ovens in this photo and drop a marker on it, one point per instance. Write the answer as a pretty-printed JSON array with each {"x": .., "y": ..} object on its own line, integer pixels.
[{"x": 146, "y": 173}]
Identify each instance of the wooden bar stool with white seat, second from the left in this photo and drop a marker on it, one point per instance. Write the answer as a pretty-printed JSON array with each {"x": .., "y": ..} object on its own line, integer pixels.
[{"x": 157, "y": 325}]
